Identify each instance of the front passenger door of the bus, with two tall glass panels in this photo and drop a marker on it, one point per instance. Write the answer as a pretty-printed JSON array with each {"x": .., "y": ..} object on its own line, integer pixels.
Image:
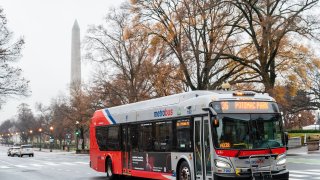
[{"x": 203, "y": 148}]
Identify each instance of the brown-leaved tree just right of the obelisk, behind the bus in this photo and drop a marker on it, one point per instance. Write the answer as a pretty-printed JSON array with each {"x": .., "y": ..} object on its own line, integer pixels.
[{"x": 128, "y": 57}]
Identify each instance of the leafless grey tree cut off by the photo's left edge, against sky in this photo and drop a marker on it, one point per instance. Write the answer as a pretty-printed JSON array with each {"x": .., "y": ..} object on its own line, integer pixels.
[{"x": 11, "y": 82}]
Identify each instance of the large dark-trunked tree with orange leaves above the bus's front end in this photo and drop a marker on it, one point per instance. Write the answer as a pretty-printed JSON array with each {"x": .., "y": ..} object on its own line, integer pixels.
[{"x": 269, "y": 29}]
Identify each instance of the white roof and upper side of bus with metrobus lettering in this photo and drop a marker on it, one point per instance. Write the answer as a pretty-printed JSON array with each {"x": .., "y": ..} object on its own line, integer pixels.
[{"x": 183, "y": 104}]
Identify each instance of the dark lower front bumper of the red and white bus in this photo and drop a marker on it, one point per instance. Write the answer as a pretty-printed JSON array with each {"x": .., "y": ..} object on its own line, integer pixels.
[{"x": 282, "y": 175}]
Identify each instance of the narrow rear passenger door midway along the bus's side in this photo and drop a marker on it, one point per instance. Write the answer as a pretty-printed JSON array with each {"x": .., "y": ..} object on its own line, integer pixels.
[{"x": 125, "y": 151}]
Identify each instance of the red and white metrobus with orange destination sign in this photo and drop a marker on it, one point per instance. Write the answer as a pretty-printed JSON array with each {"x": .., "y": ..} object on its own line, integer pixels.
[{"x": 206, "y": 135}]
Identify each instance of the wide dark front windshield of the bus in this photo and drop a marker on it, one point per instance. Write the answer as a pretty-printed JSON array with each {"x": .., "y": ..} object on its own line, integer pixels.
[{"x": 248, "y": 131}]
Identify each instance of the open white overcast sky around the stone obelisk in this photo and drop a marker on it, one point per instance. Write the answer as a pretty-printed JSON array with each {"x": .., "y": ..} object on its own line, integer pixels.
[{"x": 46, "y": 26}]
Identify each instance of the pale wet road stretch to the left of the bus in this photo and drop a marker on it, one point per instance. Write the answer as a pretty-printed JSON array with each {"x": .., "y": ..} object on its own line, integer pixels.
[{"x": 46, "y": 165}]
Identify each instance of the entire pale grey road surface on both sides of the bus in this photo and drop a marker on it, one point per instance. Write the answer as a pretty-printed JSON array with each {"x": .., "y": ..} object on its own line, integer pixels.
[{"x": 64, "y": 165}]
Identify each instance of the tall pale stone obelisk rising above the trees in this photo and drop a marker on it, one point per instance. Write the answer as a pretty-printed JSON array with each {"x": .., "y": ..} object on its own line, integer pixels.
[{"x": 75, "y": 57}]
